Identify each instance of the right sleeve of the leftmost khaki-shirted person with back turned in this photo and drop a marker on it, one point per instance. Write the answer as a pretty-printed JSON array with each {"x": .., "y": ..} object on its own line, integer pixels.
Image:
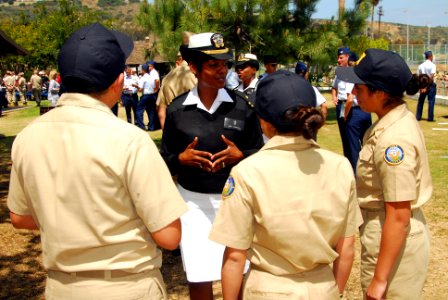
[{"x": 156, "y": 198}]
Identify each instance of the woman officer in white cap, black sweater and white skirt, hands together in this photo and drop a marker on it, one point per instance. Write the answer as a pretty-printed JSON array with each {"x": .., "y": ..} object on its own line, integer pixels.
[{"x": 207, "y": 131}]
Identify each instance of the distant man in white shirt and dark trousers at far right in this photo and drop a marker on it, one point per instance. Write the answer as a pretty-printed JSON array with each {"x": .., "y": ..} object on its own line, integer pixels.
[{"x": 428, "y": 68}]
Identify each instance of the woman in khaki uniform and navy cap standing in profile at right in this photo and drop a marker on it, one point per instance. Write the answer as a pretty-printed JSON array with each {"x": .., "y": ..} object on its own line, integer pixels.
[{"x": 393, "y": 179}]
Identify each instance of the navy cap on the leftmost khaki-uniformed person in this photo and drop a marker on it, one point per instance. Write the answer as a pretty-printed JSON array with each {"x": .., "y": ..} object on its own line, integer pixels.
[{"x": 95, "y": 55}]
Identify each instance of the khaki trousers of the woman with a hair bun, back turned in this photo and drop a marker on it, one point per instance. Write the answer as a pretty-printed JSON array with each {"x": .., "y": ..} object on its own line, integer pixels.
[{"x": 318, "y": 284}]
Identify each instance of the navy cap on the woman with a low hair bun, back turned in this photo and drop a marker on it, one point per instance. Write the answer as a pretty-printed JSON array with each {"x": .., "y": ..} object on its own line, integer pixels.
[{"x": 279, "y": 92}]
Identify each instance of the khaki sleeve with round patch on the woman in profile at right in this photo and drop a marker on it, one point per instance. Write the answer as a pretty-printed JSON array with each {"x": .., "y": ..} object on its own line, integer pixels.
[{"x": 397, "y": 177}]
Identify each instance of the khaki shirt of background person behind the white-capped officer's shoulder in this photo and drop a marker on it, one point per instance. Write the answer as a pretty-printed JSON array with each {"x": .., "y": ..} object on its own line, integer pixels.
[{"x": 176, "y": 82}]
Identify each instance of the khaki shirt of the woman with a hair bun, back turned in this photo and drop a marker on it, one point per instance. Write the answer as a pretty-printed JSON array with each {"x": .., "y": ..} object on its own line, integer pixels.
[{"x": 285, "y": 205}]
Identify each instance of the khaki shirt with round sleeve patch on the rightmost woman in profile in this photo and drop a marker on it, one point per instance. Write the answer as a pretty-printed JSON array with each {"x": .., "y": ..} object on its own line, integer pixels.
[{"x": 393, "y": 163}]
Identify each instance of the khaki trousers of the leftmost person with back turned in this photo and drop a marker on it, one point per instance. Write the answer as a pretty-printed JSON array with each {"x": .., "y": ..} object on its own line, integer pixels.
[{"x": 145, "y": 285}]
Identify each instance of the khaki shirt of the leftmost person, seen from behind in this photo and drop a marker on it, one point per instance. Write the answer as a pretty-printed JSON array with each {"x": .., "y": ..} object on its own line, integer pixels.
[{"x": 84, "y": 176}]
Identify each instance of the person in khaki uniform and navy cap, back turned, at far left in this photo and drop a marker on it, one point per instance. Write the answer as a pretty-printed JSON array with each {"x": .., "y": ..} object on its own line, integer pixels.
[{"x": 100, "y": 214}]
